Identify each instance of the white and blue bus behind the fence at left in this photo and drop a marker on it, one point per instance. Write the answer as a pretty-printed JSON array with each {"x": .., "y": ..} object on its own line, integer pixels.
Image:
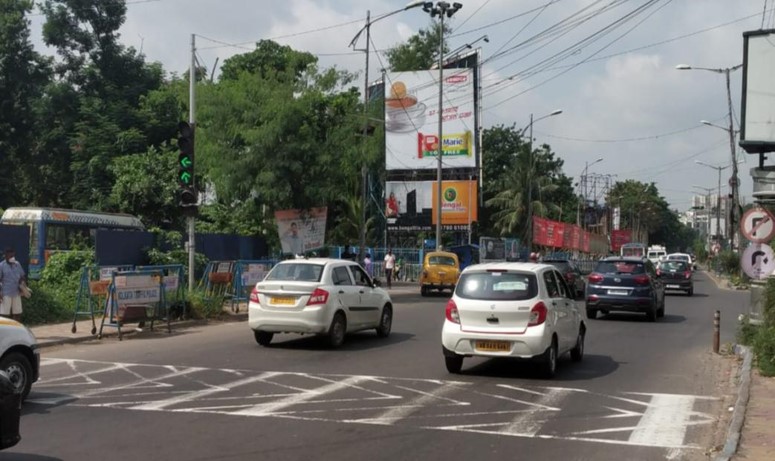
[{"x": 53, "y": 230}]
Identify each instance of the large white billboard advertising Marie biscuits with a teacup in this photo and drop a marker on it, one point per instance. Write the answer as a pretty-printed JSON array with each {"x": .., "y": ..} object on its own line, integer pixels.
[{"x": 411, "y": 120}]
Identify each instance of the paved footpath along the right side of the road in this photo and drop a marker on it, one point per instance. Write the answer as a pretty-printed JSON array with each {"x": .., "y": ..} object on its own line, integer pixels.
[{"x": 753, "y": 421}]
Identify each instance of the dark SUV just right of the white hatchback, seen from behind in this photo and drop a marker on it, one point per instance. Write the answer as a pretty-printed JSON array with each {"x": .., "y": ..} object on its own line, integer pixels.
[{"x": 627, "y": 285}]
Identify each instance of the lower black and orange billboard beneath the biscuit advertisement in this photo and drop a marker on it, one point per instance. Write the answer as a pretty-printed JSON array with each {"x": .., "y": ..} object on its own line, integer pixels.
[{"x": 412, "y": 204}]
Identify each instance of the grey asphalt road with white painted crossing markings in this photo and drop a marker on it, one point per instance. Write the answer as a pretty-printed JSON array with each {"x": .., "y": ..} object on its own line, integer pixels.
[{"x": 646, "y": 391}]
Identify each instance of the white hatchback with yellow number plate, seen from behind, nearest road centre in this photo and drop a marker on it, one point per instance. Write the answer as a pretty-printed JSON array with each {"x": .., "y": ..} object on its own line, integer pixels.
[{"x": 519, "y": 310}]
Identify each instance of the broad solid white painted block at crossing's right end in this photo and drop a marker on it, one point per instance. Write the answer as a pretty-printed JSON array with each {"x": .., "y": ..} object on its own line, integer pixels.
[{"x": 665, "y": 421}]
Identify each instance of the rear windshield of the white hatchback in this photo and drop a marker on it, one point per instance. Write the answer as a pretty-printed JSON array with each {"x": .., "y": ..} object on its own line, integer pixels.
[{"x": 497, "y": 286}]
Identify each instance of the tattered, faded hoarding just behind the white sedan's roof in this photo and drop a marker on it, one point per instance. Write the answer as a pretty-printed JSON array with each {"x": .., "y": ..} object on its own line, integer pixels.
[{"x": 301, "y": 230}]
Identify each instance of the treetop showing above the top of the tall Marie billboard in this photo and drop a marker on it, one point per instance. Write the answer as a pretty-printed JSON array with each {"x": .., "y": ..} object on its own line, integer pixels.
[{"x": 420, "y": 52}]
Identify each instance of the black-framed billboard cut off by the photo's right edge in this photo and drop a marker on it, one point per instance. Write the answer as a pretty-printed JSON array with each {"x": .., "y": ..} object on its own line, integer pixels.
[{"x": 758, "y": 98}]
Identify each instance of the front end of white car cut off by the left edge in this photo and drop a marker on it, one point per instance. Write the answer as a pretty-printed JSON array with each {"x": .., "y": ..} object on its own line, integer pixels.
[{"x": 19, "y": 355}]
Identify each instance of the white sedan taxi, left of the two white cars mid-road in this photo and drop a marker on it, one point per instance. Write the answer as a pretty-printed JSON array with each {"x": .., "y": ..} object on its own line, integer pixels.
[{"x": 329, "y": 297}]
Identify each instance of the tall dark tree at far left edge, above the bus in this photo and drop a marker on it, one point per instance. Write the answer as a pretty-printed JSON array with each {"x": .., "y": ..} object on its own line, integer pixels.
[{"x": 23, "y": 76}]
